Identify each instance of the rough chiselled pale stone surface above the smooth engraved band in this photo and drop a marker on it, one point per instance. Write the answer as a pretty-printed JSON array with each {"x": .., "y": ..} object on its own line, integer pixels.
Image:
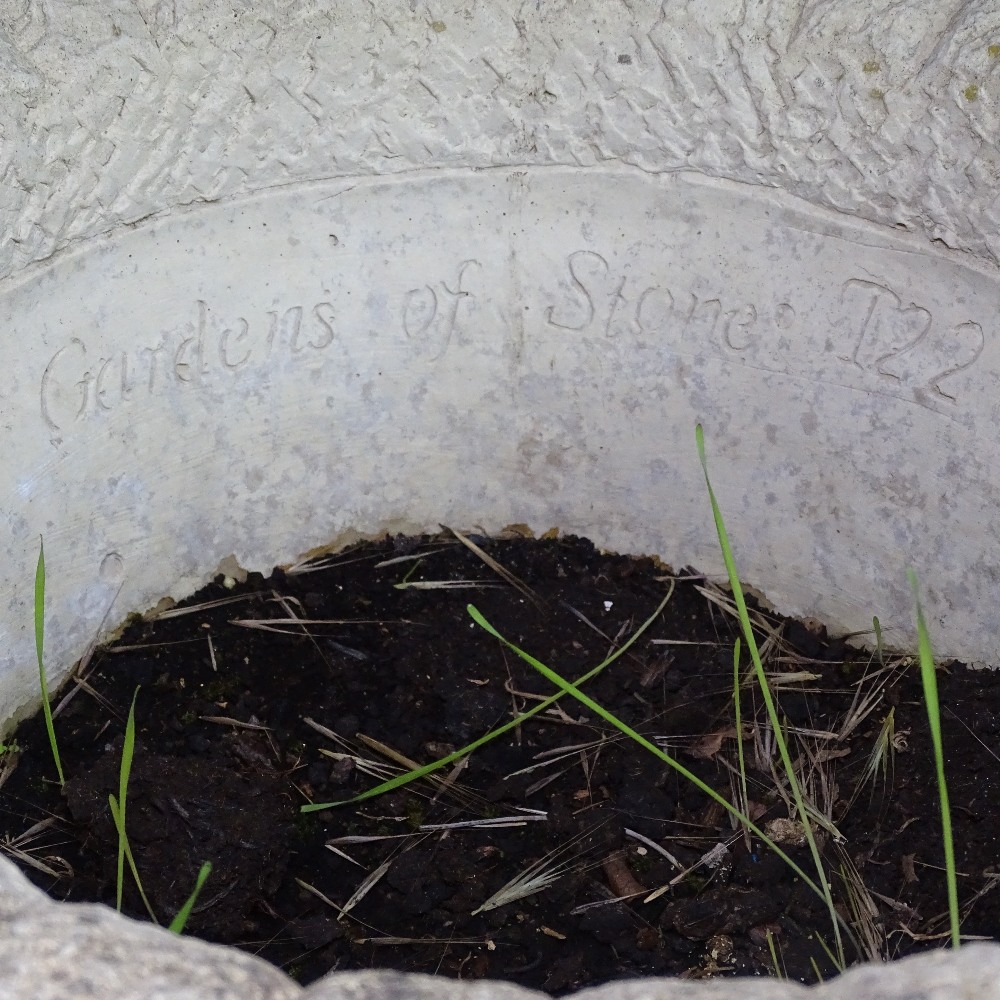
[{"x": 118, "y": 110}]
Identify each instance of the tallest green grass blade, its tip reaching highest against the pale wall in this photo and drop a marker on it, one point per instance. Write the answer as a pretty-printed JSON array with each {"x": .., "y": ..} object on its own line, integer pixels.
[{"x": 765, "y": 688}]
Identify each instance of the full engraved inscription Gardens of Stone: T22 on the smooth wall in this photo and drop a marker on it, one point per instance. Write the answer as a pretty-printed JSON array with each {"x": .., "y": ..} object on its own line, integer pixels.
[{"x": 863, "y": 334}]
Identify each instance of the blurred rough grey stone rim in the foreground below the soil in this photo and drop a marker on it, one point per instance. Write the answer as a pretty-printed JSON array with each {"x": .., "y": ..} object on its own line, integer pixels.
[{"x": 64, "y": 951}]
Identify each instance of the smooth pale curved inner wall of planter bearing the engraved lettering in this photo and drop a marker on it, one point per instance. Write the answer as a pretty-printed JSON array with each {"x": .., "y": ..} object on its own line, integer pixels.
[{"x": 280, "y": 372}]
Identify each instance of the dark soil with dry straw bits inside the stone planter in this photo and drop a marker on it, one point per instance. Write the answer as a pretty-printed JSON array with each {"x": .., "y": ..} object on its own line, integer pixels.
[{"x": 239, "y": 726}]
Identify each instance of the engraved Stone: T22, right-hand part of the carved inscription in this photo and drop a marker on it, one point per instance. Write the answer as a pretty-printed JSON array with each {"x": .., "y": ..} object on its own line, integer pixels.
[{"x": 874, "y": 339}]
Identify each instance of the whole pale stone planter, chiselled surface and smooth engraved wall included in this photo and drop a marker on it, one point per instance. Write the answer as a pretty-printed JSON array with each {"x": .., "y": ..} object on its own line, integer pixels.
[{"x": 280, "y": 275}]
